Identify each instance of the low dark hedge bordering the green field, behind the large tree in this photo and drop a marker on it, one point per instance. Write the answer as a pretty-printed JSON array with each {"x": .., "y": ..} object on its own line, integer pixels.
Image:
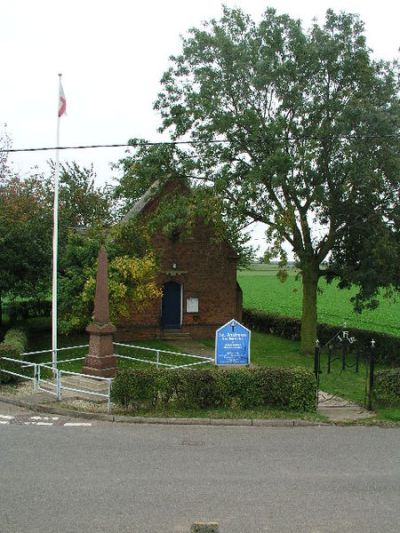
[{"x": 387, "y": 348}]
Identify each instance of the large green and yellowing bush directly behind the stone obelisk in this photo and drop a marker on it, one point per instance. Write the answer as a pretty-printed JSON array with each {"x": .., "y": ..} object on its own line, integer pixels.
[{"x": 132, "y": 271}]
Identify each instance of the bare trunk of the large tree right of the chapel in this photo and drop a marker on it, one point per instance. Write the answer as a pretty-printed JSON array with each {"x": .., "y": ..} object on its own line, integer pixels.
[{"x": 309, "y": 313}]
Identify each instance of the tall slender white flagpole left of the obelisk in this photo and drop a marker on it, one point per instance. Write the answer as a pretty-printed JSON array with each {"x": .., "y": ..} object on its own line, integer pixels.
[{"x": 55, "y": 240}]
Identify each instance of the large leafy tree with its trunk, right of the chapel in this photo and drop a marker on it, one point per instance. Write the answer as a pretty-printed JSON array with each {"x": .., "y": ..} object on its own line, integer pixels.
[{"x": 308, "y": 124}]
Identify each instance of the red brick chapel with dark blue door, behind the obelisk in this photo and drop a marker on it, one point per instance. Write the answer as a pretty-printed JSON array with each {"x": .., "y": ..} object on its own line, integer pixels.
[{"x": 197, "y": 276}]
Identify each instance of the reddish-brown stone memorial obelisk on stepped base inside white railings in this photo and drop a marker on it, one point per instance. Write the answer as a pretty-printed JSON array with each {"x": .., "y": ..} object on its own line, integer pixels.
[{"x": 101, "y": 360}]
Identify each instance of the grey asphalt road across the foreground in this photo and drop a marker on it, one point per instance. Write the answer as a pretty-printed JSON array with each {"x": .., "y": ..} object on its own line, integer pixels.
[{"x": 143, "y": 478}]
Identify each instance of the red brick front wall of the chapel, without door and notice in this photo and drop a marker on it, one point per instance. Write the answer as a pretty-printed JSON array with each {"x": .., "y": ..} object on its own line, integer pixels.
[{"x": 206, "y": 270}]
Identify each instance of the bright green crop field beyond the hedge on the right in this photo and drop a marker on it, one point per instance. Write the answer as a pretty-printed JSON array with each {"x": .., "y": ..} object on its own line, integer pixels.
[{"x": 264, "y": 291}]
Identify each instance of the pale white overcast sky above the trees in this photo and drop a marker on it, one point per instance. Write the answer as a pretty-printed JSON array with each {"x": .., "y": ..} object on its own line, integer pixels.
[{"x": 112, "y": 55}]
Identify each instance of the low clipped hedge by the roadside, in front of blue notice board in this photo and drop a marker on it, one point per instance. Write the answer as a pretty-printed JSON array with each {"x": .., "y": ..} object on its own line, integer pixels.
[{"x": 290, "y": 388}]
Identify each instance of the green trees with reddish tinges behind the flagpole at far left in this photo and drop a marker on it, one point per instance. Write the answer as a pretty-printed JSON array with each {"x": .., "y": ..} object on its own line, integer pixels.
[{"x": 26, "y": 224}]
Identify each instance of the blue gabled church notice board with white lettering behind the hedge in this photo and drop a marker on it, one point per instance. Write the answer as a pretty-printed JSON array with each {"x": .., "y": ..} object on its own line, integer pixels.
[{"x": 232, "y": 344}]
